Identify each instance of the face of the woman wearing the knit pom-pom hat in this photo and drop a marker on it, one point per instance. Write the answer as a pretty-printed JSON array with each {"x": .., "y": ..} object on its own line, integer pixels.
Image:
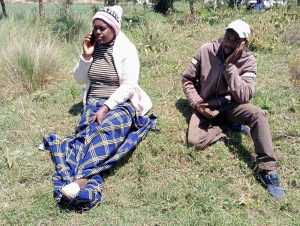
[{"x": 103, "y": 32}]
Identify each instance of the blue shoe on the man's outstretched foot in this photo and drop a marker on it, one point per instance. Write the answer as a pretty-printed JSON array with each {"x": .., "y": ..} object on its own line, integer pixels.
[{"x": 271, "y": 180}]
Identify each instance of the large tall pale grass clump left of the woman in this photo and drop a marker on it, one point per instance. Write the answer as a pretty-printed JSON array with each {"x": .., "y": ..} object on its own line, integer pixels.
[{"x": 30, "y": 57}]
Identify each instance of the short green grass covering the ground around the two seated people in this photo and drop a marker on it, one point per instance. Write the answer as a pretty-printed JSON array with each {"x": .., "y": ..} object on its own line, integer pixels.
[{"x": 163, "y": 182}]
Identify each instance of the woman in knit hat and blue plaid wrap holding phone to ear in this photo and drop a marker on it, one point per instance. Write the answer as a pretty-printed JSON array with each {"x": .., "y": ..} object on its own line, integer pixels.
[{"x": 113, "y": 120}]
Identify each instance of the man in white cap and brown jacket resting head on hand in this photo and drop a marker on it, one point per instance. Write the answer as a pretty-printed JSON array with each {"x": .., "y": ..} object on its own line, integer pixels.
[{"x": 219, "y": 84}]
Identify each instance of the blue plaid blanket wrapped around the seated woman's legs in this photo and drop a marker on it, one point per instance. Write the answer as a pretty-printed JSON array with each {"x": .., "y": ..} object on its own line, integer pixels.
[{"x": 94, "y": 149}]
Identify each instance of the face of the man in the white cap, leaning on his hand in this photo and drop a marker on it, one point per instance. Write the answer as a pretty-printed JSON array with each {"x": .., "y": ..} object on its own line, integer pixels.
[{"x": 231, "y": 41}]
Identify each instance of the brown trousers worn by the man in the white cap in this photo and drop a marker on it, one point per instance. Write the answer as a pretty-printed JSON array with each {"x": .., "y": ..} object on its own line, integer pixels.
[{"x": 203, "y": 132}]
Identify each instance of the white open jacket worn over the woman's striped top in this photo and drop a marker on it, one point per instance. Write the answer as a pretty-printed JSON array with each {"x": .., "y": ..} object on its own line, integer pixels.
[{"x": 128, "y": 67}]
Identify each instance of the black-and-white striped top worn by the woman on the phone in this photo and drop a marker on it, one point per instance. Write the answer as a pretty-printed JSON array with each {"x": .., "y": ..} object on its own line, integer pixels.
[{"x": 102, "y": 74}]
